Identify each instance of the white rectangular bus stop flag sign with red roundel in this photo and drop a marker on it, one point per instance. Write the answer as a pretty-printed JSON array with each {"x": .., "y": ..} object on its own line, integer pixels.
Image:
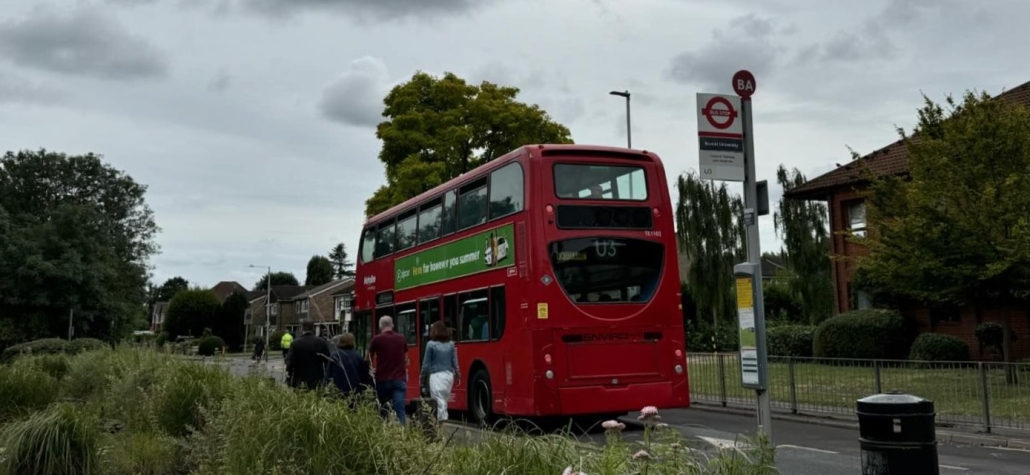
[{"x": 720, "y": 134}]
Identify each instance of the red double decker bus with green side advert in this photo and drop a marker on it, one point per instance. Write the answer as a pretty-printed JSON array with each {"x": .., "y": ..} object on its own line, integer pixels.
[{"x": 555, "y": 266}]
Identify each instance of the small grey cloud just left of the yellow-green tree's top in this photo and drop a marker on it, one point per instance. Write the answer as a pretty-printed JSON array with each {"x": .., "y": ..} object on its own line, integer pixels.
[{"x": 356, "y": 98}]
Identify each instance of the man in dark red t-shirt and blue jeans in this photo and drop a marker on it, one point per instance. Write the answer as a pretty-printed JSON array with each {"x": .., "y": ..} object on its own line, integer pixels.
[{"x": 390, "y": 352}]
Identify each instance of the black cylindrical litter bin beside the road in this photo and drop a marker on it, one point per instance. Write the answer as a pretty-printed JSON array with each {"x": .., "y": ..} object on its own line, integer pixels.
[{"x": 898, "y": 435}]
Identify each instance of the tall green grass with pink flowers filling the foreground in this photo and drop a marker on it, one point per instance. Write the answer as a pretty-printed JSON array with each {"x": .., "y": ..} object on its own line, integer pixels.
[{"x": 134, "y": 412}]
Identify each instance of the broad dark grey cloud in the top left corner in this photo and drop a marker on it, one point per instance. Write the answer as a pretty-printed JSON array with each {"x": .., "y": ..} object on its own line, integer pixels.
[{"x": 84, "y": 42}]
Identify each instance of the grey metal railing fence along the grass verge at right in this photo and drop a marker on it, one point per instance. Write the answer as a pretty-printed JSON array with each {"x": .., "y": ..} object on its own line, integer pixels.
[{"x": 981, "y": 394}]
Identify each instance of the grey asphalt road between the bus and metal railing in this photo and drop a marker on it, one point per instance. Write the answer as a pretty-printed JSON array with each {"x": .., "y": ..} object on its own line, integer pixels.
[{"x": 812, "y": 450}]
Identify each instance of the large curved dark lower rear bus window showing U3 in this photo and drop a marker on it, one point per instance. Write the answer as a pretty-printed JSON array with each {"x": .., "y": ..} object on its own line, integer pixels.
[{"x": 607, "y": 270}]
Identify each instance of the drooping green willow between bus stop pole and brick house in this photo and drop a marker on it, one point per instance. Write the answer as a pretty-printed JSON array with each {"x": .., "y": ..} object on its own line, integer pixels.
[{"x": 804, "y": 228}]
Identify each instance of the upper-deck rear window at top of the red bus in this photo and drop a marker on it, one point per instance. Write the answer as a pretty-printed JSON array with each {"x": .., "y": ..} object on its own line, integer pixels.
[{"x": 600, "y": 182}]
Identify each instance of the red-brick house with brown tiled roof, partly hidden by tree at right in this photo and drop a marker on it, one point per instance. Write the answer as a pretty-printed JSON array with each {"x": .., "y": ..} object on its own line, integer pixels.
[{"x": 841, "y": 190}]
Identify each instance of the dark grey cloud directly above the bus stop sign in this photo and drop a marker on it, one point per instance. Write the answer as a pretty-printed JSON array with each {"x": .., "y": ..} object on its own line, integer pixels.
[{"x": 748, "y": 42}]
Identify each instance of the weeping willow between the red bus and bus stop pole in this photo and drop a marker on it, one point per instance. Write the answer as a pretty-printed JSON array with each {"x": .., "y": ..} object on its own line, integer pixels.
[{"x": 710, "y": 230}]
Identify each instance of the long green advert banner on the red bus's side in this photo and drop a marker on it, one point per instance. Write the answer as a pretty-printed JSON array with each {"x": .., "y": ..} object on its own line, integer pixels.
[{"x": 490, "y": 250}]
